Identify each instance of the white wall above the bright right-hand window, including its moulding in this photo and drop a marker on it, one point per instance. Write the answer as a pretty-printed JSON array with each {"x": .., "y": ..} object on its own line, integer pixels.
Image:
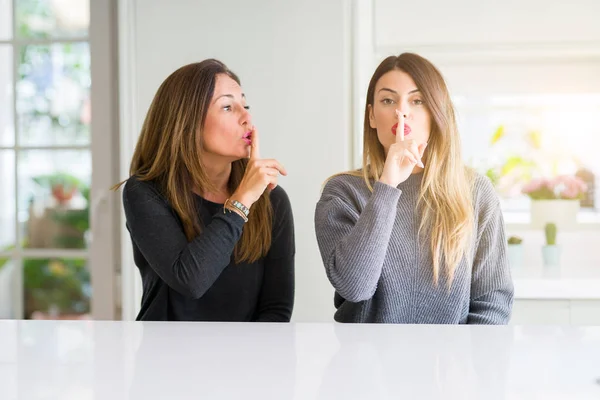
[{"x": 508, "y": 47}]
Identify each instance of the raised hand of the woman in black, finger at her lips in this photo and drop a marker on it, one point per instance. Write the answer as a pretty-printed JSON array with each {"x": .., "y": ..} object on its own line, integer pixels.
[{"x": 260, "y": 174}]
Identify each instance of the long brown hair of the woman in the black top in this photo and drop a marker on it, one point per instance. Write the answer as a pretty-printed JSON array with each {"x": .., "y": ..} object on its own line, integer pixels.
[{"x": 169, "y": 152}]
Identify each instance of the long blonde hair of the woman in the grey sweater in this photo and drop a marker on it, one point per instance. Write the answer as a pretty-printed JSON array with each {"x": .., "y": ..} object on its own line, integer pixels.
[{"x": 446, "y": 194}]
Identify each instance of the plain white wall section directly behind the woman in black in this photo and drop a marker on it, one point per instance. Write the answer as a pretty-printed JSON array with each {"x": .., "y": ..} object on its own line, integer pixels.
[{"x": 293, "y": 59}]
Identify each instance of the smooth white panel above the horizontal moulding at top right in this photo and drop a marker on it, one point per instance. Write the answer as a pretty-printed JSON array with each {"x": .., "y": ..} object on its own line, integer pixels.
[{"x": 485, "y": 22}]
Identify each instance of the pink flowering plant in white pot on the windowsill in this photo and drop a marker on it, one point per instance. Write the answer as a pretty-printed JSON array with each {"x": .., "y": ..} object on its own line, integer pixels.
[{"x": 555, "y": 200}]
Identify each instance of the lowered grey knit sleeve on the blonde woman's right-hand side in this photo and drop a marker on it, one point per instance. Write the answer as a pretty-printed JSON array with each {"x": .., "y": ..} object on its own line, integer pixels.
[{"x": 492, "y": 289}]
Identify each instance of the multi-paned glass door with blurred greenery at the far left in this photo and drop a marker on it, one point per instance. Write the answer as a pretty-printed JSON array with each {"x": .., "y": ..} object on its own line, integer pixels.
[{"x": 45, "y": 158}]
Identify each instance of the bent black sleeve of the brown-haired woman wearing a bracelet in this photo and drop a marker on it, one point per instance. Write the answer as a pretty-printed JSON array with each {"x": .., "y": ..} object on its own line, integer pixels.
[{"x": 192, "y": 267}]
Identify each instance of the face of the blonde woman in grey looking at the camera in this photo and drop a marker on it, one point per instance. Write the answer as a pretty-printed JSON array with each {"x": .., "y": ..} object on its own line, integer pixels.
[{"x": 396, "y": 90}]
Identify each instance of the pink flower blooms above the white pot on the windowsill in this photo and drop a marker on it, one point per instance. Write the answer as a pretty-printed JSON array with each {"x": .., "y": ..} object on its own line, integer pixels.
[{"x": 563, "y": 187}]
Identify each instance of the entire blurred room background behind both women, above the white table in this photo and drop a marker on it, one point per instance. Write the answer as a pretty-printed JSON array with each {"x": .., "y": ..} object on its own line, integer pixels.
[{"x": 76, "y": 79}]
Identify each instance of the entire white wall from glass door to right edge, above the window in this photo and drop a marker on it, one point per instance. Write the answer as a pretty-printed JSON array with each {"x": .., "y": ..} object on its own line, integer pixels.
[{"x": 305, "y": 66}]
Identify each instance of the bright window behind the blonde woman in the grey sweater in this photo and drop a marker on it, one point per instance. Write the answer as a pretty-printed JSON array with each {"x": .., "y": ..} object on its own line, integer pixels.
[{"x": 524, "y": 112}]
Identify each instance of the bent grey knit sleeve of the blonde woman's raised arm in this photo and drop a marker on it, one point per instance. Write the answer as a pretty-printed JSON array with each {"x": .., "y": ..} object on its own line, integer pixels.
[{"x": 353, "y": 244}]
